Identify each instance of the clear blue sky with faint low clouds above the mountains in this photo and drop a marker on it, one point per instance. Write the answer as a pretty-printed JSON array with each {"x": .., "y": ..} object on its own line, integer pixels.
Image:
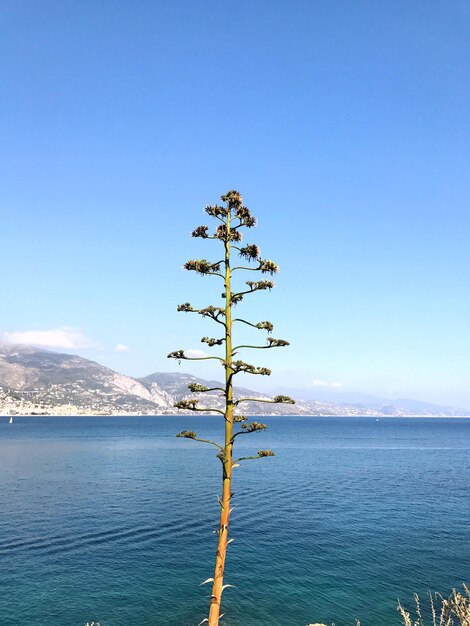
[{"x": 345, "y": 125}]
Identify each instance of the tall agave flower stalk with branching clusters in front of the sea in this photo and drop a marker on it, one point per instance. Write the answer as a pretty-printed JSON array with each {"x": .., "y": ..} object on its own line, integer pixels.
[{"x": 232, "y": 218}]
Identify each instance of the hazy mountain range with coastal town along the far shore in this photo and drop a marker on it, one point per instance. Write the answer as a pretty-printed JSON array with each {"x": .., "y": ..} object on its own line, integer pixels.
[{"x": 38, "y": 381}]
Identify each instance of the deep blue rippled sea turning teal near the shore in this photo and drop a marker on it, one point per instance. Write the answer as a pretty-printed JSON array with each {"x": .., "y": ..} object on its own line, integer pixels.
[{"x": 112, "y": 519}]
